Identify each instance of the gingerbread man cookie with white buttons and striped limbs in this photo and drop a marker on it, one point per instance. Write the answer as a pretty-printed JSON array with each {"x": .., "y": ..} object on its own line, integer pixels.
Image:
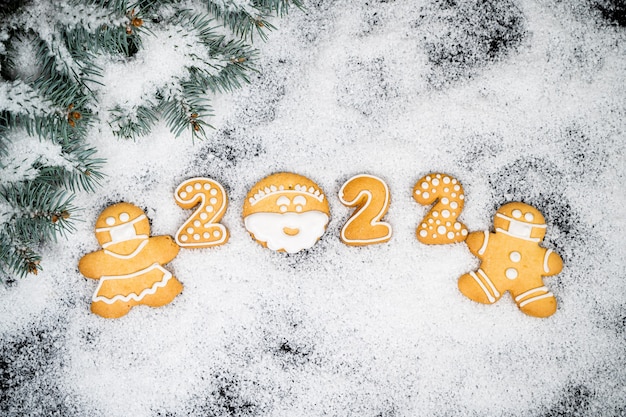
[{"x": 512, "y": 260}]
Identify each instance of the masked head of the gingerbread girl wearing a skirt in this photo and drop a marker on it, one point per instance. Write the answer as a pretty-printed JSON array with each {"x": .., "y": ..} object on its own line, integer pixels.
[{"x": 122, "y": 225}]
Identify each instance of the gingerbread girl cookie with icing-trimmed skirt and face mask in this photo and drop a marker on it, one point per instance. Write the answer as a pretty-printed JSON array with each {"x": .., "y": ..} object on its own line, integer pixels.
[{"x": 129, "y": 266}]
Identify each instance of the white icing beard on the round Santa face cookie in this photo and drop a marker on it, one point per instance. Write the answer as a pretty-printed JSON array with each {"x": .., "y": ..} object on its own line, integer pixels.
[{"x": 269, "y": 228}]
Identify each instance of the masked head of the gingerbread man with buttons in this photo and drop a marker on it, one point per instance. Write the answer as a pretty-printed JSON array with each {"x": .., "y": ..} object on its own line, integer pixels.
[{"x": 521, "y": 221}]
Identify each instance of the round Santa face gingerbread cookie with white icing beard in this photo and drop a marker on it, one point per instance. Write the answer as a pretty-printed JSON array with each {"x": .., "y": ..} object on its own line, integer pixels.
[{"x": 286, "y": 212}]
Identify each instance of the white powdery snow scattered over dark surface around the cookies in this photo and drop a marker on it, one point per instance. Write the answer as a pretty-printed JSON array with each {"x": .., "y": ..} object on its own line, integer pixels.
[{"x": 522, "y": 102}]
